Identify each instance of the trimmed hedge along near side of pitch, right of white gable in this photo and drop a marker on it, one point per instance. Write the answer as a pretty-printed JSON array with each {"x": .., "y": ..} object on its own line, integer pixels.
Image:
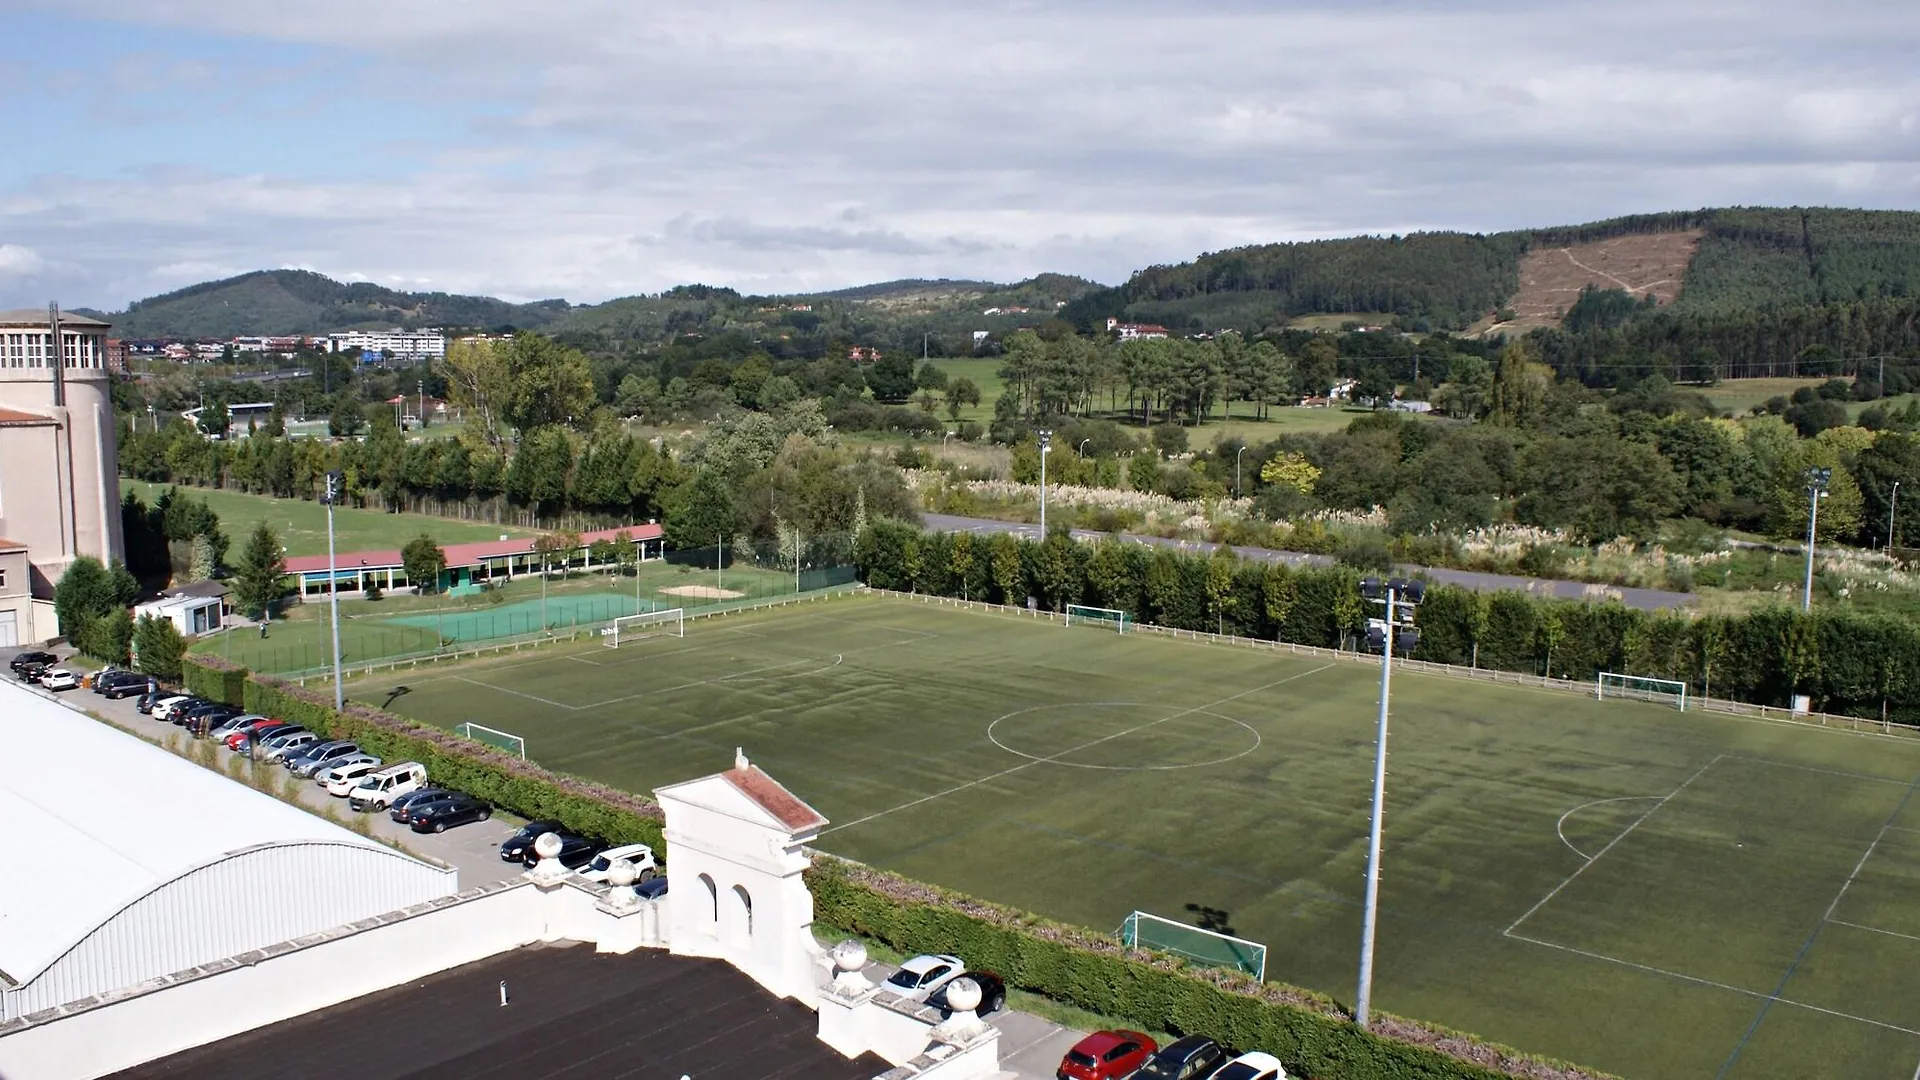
[{"x": 1307, "y": 1031}]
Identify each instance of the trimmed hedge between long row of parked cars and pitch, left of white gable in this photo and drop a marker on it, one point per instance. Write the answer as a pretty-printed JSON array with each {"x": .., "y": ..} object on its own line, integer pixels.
[{"x": 502, "y": 779}]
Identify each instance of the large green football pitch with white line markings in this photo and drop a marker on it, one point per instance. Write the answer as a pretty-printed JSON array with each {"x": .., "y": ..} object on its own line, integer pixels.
[{"x": 1621, "y": 885}]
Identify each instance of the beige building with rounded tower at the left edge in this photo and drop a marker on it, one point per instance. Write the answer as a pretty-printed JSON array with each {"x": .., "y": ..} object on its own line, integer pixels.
[{"x": 59, "y": 456}]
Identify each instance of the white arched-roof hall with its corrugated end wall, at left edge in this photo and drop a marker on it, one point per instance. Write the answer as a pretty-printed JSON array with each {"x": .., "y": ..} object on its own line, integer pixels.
[{"x": 141, "y": 864}]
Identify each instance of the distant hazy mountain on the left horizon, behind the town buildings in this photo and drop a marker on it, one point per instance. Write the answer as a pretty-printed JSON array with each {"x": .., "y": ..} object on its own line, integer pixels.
[{"x": 304, "y": 303}]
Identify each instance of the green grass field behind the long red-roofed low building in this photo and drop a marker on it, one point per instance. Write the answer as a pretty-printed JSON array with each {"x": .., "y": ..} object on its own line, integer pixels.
[{"x": 302, "y": 526}]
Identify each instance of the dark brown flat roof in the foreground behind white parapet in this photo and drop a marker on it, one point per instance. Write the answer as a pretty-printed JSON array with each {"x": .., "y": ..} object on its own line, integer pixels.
[{"x": 571, "y": 1014}]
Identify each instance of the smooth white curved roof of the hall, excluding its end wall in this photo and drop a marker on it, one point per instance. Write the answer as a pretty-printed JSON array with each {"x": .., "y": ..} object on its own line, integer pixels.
[{"x": 99, "y": 820}]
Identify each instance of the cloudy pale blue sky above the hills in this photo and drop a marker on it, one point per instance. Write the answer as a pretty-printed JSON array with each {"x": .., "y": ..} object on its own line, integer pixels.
[{"x": 598, "y": 149}]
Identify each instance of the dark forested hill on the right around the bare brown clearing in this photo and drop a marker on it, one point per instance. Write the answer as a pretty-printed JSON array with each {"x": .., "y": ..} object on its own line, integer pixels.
[{"x": 1746, "y": 260}]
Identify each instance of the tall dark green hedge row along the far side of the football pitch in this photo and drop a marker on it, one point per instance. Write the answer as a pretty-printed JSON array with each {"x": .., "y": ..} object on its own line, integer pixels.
[{"x": 1850, "y": 664}]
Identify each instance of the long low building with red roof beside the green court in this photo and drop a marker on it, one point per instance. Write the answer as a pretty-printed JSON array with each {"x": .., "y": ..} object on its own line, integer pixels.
[{"x": 468, "y": 564}]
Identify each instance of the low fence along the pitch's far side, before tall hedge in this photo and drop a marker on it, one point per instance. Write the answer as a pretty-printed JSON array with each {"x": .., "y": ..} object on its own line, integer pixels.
[{"x": 1429, "y": 668}]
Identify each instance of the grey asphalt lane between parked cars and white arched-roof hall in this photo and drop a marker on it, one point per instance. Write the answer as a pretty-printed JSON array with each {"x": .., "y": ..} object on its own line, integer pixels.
[{"x": 469, "y": 848}]
